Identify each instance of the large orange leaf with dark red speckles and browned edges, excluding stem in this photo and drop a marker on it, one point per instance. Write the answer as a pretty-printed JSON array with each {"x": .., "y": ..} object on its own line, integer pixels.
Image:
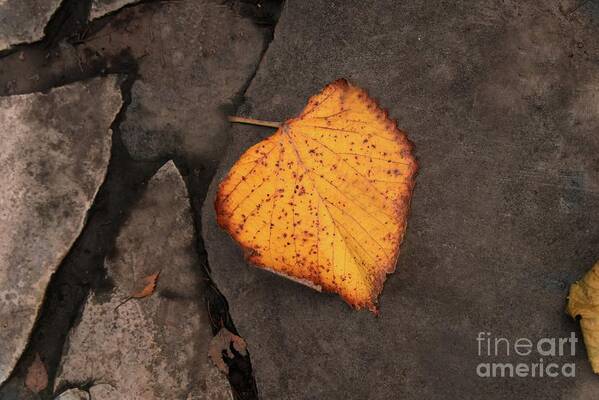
[{"x": 325, "y": 200}]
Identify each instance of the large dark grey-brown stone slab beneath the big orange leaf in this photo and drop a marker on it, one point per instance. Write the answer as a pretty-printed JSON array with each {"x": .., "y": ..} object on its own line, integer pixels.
[{"x": 500, "y": 99}]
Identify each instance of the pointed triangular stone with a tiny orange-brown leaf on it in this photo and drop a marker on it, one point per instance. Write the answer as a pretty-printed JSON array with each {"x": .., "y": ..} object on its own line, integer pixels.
[{"x": 155, "y": 347}]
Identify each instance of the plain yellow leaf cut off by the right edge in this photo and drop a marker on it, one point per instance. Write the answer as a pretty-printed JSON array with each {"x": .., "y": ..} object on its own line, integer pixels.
[{"x": 583, "y": 301}]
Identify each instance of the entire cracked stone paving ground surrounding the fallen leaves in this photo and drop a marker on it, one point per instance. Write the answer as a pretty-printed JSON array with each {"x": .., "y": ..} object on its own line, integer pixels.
[{"x": 501, "y": 100}]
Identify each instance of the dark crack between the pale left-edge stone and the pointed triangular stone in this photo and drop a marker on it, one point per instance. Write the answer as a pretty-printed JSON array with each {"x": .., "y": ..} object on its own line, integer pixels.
[{"x": 82, "y": 270}]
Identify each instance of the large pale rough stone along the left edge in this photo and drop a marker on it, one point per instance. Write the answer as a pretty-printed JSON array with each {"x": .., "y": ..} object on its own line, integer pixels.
[{"x": 55, "y": 151}]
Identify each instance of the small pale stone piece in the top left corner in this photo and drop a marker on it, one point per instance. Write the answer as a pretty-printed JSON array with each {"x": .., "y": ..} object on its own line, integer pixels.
[{"x": 23, "y": 21}]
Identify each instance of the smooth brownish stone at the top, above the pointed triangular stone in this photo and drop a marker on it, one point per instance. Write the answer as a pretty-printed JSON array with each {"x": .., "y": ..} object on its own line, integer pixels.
[{"x": 194, "y": 57}]
